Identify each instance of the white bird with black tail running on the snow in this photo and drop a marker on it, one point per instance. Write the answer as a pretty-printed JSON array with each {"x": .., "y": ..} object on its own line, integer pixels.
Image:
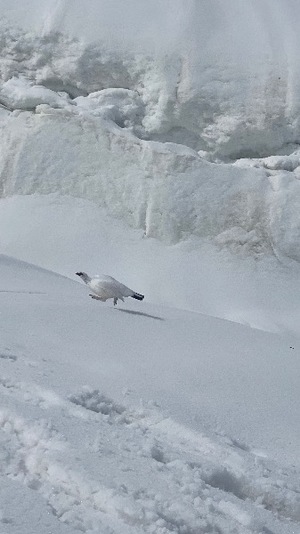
[{"x": 106, "y": 287}]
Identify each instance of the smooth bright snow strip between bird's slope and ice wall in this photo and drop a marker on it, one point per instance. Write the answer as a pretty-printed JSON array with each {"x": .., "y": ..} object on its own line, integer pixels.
[{"x": 65, "y": 235}]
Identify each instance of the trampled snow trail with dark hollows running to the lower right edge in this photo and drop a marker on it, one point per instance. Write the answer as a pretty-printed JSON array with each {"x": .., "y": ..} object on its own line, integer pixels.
[{"x": 234, "y": 472}]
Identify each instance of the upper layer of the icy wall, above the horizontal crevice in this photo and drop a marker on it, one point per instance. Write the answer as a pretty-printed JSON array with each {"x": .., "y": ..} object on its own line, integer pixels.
[{"x": 218, "y": 77}]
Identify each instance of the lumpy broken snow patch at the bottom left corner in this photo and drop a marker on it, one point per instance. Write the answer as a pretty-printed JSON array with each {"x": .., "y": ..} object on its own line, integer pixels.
[{"x": 30, "y": 450}]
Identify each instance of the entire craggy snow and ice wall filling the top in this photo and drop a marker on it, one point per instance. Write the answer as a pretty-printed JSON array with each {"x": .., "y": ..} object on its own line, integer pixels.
[{"x": 139, "y": 117}]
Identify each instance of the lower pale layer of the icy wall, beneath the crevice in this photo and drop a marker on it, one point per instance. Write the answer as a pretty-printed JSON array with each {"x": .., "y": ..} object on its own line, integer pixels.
[{"x": 167, "y": 190}]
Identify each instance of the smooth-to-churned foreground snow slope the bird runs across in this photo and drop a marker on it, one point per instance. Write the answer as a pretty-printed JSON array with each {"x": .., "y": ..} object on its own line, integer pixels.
[{"x": 141, "y": 418}]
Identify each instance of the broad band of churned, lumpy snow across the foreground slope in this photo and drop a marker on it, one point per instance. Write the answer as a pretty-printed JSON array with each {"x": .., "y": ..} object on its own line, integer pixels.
[{"x": 164, "y": 478}]
